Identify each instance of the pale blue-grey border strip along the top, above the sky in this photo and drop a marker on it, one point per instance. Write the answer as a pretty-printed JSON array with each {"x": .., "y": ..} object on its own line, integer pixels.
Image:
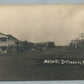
[{"x": 41, "y": 1}]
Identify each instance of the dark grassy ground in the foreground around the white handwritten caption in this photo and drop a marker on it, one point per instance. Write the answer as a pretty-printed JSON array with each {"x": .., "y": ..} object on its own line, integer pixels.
[{"x": 25, "y": 66}]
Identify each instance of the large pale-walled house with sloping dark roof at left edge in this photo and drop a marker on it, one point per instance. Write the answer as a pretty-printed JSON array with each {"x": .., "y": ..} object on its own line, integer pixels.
[{"x": 6, "y": 42}]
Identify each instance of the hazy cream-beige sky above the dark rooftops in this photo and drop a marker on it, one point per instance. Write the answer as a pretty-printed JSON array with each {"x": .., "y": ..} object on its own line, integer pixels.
[{"x": 42, "y": 23}]
